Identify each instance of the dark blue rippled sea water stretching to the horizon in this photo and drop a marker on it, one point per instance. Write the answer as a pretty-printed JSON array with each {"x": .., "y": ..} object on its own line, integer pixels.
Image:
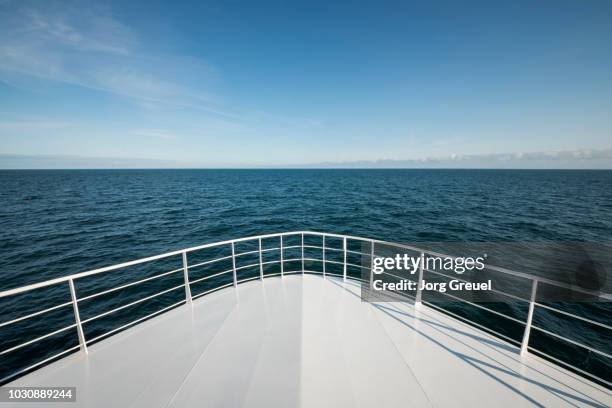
[{"x": 54, "y": 223}]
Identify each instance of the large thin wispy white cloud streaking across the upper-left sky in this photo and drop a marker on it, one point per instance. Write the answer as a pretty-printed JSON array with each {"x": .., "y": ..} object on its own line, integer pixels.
[{"x": 85, "y": 44}]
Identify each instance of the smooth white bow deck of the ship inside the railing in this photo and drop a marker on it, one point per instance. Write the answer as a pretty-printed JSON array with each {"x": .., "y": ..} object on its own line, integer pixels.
[{"x": 311, "y": 342}]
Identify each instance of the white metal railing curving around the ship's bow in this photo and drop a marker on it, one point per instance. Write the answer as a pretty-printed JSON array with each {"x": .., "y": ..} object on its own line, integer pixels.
[{"x": 325, "y": 260}]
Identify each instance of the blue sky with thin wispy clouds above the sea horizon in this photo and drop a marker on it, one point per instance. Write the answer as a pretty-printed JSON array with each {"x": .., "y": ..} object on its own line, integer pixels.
[{"x": 268, "y": 84}]
